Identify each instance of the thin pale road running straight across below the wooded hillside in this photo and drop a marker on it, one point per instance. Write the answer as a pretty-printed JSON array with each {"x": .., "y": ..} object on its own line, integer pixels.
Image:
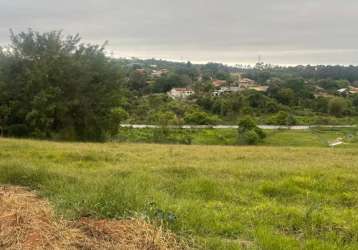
[{"x": 270, "y": 127}]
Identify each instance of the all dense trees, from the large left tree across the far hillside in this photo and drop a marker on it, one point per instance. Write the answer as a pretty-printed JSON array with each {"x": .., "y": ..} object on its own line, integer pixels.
[{"x": 53, "y": 86}]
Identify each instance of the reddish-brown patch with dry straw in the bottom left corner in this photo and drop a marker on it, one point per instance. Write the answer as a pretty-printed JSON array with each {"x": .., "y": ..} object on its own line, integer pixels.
[{"x": 28, "y": 222}]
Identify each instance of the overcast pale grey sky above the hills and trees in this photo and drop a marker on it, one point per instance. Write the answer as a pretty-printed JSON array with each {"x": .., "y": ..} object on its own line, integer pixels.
[{"x": 229, "y": 31}]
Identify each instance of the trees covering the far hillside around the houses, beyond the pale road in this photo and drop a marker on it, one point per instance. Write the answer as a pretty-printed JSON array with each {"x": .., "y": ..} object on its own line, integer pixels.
[{"x": 290, "y": 99}]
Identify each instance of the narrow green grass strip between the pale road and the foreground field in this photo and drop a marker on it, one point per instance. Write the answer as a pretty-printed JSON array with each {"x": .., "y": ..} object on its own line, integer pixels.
[{"x": 318, "y": 137}]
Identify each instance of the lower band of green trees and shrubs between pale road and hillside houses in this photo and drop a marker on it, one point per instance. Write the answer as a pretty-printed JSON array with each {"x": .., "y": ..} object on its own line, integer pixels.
[{"x": 277, "y": 107}]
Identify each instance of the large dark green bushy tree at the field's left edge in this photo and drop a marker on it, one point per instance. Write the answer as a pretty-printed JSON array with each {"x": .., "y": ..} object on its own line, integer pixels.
[{"x": 55, "y": 85}]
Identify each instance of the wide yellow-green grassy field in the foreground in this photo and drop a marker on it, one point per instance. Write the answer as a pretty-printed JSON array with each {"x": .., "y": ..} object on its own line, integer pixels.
[{"x": 219, "y": 197}]
